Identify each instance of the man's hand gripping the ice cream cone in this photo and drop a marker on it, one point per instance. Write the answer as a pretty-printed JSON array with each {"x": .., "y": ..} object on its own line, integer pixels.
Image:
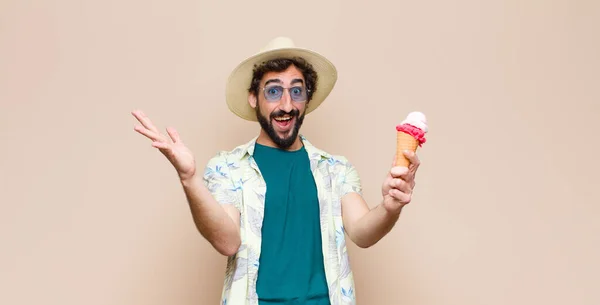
[{"x": 397, "y": 189}]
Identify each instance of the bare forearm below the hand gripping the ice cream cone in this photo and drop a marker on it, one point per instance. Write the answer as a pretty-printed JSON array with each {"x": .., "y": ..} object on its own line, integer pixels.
[{"x": 374, "y": 225}]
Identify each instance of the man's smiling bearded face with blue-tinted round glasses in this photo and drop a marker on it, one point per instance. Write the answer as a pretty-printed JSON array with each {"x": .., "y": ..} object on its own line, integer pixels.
[{"x": 280, "y": 105}]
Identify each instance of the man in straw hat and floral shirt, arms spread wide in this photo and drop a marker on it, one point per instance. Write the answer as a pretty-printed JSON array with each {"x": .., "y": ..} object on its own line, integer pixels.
[{"x": 278, "y": 207}]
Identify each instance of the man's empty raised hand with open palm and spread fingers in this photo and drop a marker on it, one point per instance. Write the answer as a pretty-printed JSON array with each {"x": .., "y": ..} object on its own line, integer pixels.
[{"x": 171, "y": 146}]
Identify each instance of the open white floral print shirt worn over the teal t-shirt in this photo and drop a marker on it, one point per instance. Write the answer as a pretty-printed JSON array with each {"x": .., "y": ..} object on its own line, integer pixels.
[{"x": 233, "y": 178}]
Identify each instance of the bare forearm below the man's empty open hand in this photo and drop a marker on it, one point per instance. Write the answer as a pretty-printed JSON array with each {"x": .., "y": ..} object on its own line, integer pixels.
[{"x": 211, "y": 219}]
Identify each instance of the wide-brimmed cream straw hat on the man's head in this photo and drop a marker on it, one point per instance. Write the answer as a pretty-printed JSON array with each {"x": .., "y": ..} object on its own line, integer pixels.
[{"x": 236, "y": 91}]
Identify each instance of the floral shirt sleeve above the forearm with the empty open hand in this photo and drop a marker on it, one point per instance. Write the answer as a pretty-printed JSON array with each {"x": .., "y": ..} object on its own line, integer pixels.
[{"x": 217, "y": 178}]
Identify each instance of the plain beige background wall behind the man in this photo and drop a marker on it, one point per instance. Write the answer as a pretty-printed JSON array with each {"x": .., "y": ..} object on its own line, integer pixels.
[{"x": 506, "y": 208}]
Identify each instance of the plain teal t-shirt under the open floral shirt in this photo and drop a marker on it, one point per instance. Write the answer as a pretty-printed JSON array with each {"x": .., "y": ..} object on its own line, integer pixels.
[{"x": 291, "y": 268}]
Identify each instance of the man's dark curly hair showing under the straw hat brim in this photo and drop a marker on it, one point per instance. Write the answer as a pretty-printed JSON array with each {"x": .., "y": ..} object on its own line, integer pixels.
[{"x": 281, "y": 64}]
